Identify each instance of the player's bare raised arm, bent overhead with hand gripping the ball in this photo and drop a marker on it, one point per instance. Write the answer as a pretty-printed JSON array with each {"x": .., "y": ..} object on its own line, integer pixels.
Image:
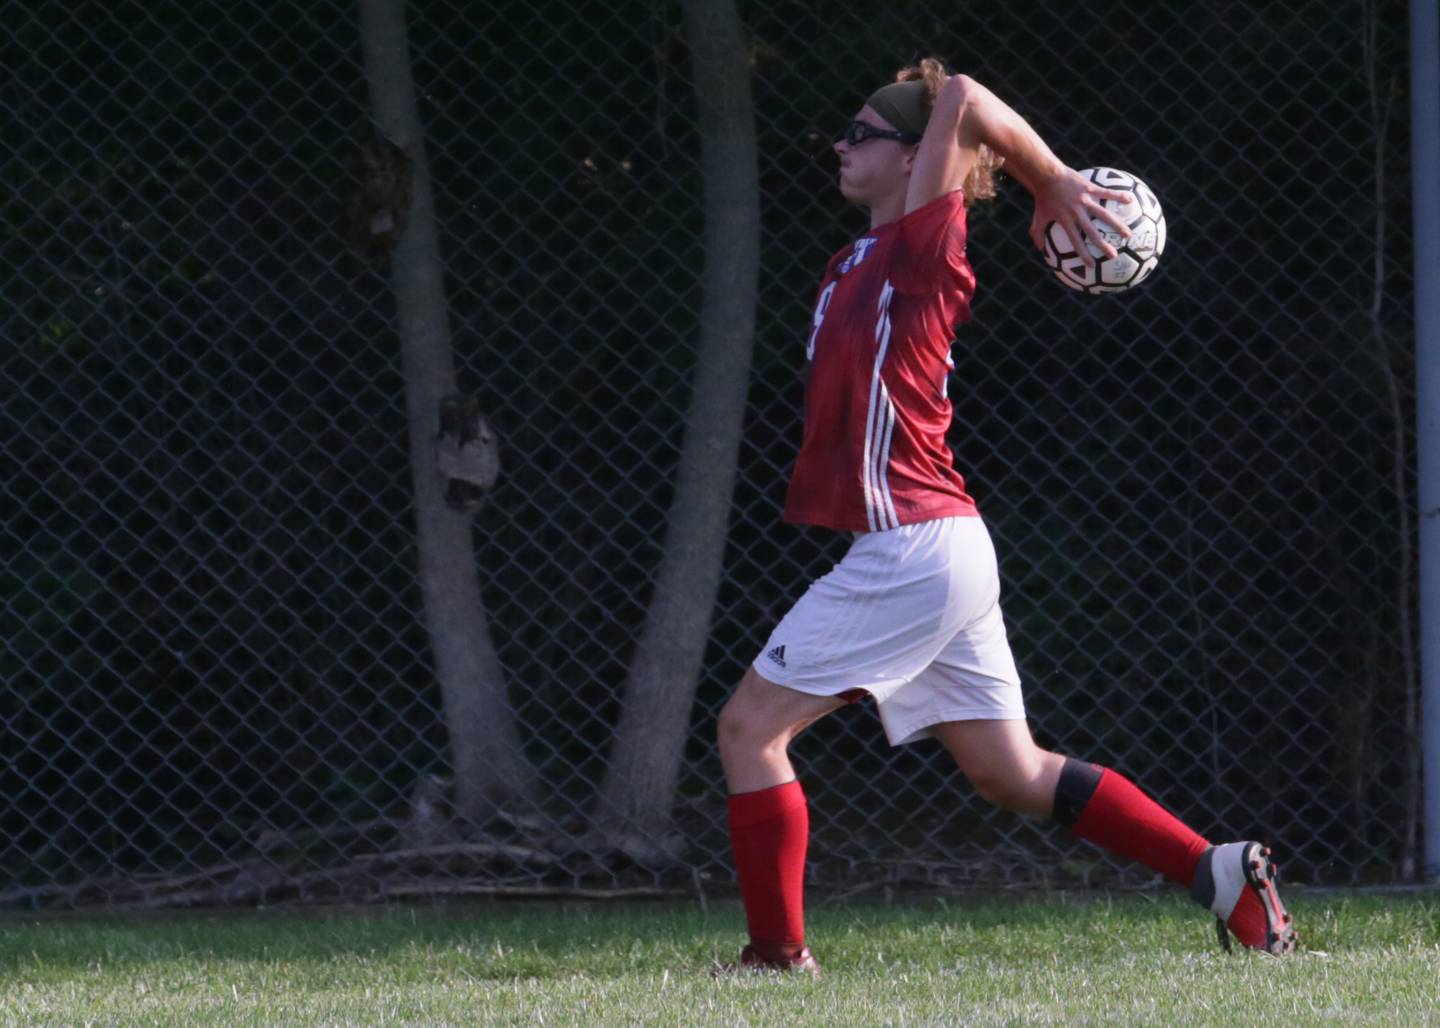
[{"x": 967, "y": 116}]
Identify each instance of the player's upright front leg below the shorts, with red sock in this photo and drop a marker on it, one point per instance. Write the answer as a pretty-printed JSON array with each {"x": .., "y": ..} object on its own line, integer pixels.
[{"x": 770, "y": 820}]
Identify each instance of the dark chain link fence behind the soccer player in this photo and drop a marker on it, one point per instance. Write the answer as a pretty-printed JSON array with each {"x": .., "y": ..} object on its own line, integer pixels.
[{"x": 218, "y": 683}]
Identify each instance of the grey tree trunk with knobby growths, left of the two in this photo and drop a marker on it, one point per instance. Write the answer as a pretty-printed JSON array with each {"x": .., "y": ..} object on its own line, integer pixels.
[{"x": 489, "y": 767}]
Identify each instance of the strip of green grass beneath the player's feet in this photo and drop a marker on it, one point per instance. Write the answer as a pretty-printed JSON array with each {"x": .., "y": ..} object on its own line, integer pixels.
[{"x": 1036, "y": 960}]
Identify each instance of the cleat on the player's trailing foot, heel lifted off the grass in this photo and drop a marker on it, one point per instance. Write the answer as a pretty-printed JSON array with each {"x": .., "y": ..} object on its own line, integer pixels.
[{"x": 1222, "y": 880}]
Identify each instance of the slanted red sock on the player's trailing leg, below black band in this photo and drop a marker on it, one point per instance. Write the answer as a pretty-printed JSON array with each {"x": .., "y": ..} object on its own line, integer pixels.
[{"x": 1125, "y": 821}]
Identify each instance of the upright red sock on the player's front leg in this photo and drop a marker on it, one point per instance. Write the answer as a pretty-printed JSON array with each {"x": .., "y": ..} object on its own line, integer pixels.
[{"x": 770, "y": 830}]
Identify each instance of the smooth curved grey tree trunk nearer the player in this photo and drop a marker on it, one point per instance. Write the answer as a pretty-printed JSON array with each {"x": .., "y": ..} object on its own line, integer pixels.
[{"x": 639, "y": 791}]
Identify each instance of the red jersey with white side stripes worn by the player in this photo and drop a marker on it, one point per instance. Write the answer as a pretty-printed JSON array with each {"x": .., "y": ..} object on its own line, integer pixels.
[{"x": 876, "y": 407}]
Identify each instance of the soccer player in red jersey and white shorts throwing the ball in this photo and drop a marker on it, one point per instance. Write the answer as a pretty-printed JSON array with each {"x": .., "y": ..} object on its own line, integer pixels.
[{"x": 911, "y": 616}]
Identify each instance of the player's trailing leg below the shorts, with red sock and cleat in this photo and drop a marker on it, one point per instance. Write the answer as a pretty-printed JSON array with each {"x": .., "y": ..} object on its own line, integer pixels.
[{"x": 1236, "y": 880}]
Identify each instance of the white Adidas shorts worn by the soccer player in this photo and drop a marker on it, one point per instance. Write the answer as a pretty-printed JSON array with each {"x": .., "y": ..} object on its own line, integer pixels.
[{"x": 912, "y": 617}]
